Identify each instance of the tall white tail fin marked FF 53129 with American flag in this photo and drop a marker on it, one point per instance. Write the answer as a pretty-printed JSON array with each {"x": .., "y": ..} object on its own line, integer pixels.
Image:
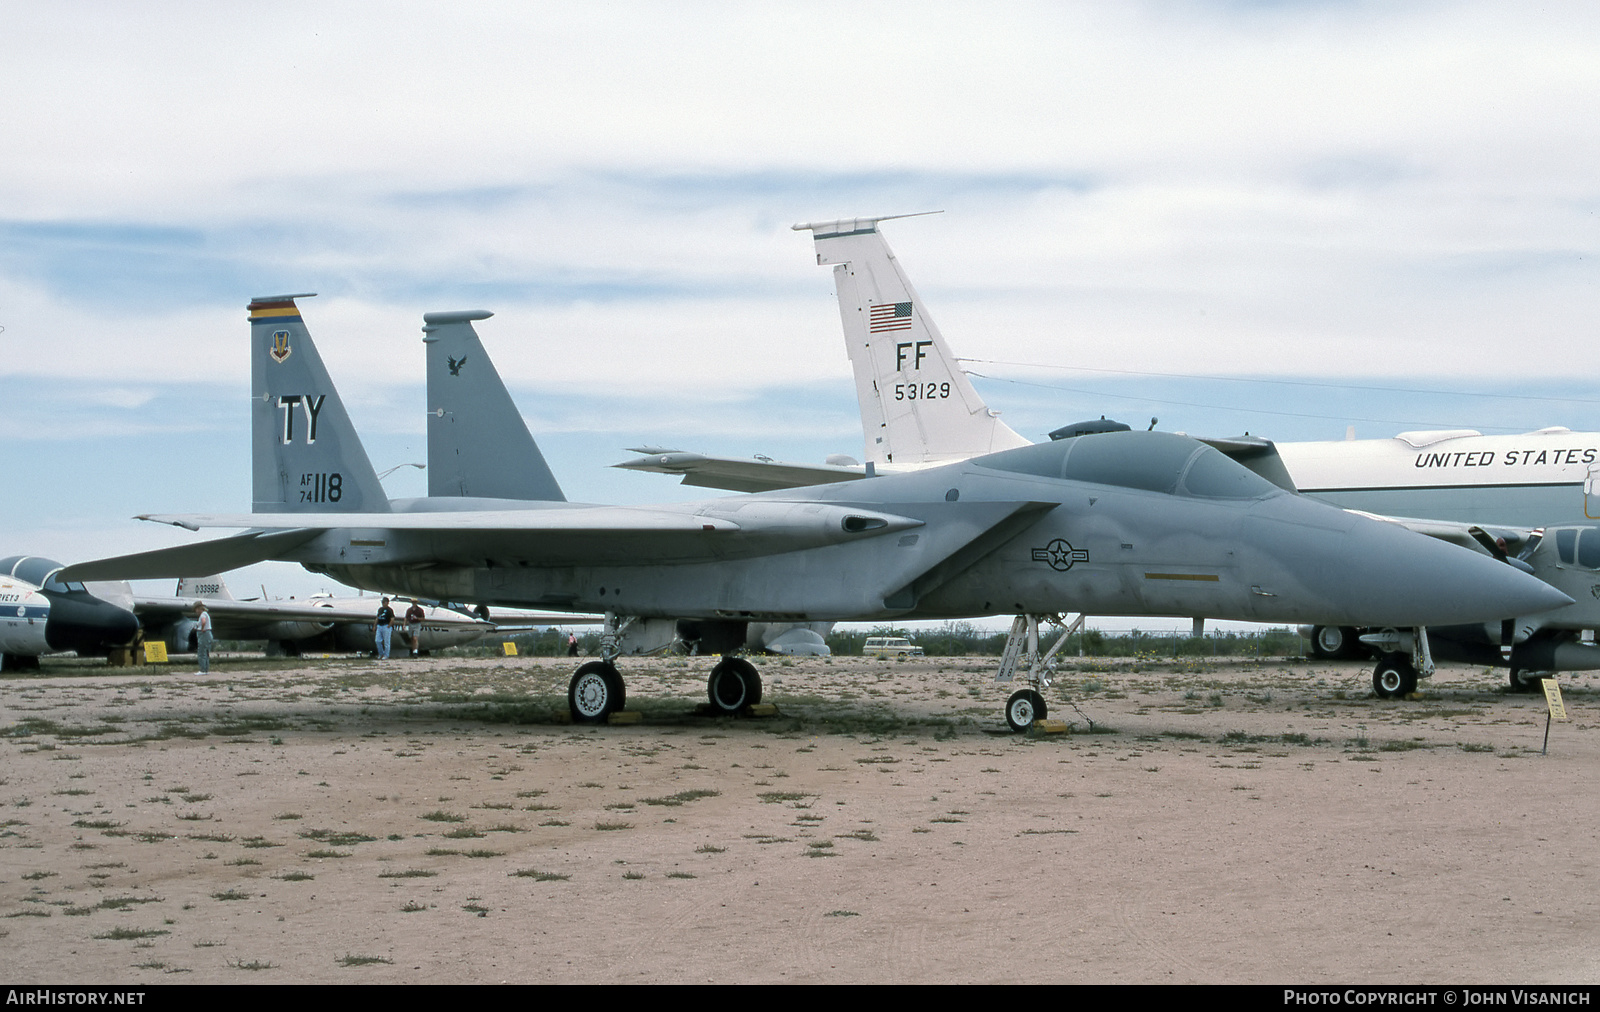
[{"x": 918, "y": 406}]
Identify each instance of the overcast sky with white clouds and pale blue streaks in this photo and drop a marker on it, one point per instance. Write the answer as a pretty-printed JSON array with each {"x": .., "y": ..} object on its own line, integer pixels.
[{"x": 1146, "y": 204}]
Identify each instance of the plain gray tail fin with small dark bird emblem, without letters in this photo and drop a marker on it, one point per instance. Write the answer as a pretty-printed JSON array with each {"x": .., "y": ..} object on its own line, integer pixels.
[{"x": 478, "y": 441}]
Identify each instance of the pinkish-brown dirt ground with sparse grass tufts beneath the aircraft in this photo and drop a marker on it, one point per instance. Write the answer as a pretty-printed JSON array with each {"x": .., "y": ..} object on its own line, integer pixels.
[{"x": 351, "y": 821}]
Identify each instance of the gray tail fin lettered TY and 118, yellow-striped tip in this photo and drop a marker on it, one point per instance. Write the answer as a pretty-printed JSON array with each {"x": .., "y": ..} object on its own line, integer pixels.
[{"x": 306, "y": 456}]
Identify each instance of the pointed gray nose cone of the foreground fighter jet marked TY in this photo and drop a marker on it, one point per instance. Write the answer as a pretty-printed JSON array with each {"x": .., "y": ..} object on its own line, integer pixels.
[{"x": 1380, "y": 574}]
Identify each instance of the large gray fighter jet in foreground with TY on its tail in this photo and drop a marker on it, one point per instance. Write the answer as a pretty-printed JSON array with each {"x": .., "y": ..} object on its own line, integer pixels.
[{"x": 1116, "y": 523}]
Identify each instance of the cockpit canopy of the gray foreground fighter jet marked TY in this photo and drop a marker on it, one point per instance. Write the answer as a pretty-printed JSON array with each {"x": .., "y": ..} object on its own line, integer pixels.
[{"x": 1154, "y": 462}]
